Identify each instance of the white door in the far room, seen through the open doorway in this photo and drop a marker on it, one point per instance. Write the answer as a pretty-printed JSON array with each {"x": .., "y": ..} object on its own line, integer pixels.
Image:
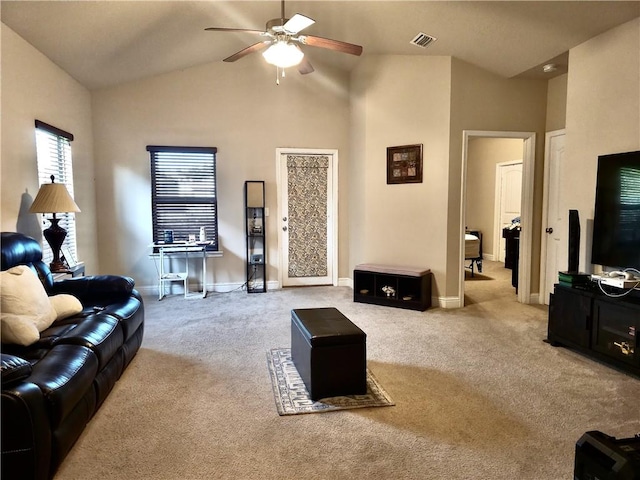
[{"x": 508, "y": 201}]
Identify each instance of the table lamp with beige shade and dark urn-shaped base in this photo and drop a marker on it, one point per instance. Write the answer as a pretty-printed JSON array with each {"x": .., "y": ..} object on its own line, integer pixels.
[{"x": 54, "y": 198}]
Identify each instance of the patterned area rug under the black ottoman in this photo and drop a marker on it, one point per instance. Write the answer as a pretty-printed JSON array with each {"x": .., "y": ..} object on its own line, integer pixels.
[{"x": 292, "y": 398}]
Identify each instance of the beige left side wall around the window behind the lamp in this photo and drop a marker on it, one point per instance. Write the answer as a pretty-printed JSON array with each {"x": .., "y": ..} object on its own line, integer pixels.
[{"x": 34, "y": 88}]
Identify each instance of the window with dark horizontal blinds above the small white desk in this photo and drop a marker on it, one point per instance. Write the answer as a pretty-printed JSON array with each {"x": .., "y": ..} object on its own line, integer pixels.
[{"x": 184, "y": 196}]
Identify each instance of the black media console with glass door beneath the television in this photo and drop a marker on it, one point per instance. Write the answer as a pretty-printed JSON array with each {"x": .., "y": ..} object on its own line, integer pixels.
[{"x": 599, "y": 326}]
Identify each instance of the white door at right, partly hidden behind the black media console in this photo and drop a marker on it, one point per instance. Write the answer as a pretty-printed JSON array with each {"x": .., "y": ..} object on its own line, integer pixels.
[{"x": 552, "y": 216}]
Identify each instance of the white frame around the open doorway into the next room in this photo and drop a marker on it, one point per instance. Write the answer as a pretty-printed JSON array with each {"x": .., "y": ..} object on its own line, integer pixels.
[{"x": 526, "y": 237}]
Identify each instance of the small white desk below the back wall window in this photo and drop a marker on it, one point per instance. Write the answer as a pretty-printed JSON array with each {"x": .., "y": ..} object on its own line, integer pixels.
[{"x": 181, "y": 249}]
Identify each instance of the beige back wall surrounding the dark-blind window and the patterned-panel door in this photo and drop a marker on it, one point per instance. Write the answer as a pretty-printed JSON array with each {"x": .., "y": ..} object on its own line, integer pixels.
[{"x": 237, "y": 108}]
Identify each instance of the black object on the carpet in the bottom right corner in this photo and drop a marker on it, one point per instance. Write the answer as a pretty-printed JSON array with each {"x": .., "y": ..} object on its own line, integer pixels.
[{"x": 601, "y": 457}]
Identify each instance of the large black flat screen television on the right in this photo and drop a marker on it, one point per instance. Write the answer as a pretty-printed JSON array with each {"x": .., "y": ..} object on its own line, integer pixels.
[{"x": 616, "y": 222}]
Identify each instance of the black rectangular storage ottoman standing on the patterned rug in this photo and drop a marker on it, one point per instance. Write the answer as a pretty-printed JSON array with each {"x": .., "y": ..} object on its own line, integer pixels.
[{"x": 329, "y": 352}]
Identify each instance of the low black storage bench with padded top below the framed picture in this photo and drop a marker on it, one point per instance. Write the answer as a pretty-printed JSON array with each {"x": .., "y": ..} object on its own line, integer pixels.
[{"x": 392, "y": 286}]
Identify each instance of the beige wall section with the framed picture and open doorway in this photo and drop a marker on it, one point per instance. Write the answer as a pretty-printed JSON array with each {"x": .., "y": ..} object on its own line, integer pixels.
[{"x": 430, "y": 100}]
